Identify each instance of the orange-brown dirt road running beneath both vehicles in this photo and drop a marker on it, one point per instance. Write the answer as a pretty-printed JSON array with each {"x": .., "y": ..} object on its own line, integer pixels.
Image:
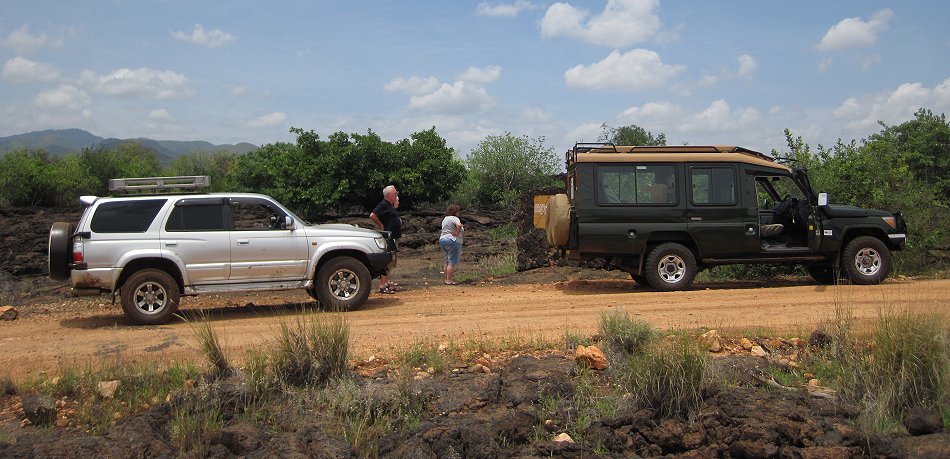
[{"x": 76, "y": 331}]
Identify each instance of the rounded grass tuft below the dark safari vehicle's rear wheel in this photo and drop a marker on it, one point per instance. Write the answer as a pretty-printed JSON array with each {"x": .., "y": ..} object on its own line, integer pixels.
[{"x": 672, "y": 380}]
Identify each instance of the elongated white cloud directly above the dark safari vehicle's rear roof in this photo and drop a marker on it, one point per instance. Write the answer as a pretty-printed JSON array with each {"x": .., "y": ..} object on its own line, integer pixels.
[{"x": 633, "y": 70}]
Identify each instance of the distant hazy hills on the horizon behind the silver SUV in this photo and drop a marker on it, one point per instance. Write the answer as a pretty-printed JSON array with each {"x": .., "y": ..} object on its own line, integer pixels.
[{"x": 61, "y": 141}]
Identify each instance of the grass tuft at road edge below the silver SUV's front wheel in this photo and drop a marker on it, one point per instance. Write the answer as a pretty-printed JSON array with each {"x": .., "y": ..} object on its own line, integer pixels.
[{"x": 313, "y": 350}]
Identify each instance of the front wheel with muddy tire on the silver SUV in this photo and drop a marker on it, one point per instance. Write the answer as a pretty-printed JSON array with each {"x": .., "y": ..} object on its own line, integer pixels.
[{"x": 343, "y": 283}]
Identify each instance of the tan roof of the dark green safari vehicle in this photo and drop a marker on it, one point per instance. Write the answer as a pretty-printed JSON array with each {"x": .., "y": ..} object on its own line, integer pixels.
[{"x": 677, "y": 154}]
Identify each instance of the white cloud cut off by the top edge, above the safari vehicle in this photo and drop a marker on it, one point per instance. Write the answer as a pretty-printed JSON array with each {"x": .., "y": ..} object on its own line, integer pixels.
[{"x": 621, "y": 24}]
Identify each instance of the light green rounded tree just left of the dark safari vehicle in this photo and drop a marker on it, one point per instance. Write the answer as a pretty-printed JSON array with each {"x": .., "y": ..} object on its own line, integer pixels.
[{"x": 504, "y": 167}]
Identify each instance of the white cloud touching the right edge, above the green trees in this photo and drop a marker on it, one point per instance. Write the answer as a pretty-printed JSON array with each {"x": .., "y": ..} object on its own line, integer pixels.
[{"x": 861, "y": 114}]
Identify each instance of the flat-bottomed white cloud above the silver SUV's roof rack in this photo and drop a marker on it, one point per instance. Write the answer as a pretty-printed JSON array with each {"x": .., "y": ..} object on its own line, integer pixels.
[{"x": 143, "y": 82}]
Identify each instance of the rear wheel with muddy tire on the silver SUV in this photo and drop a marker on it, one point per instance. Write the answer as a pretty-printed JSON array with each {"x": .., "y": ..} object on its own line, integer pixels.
[{"x": 150, "y": 297}]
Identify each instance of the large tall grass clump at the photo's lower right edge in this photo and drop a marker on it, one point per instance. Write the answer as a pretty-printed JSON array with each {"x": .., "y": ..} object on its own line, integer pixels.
[{"x": 906, "y": 365}]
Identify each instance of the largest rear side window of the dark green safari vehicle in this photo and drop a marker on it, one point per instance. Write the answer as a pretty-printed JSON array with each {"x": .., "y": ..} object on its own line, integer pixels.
[{"x": 636, "y": 184}]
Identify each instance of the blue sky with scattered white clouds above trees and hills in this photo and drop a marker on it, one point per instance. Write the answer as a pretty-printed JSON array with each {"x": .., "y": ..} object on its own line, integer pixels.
[{"x": 736, "y": 72}]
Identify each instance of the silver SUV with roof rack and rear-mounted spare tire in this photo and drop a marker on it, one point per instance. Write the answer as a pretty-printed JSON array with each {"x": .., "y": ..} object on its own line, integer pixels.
[{"x": 150, "y": 249}]
